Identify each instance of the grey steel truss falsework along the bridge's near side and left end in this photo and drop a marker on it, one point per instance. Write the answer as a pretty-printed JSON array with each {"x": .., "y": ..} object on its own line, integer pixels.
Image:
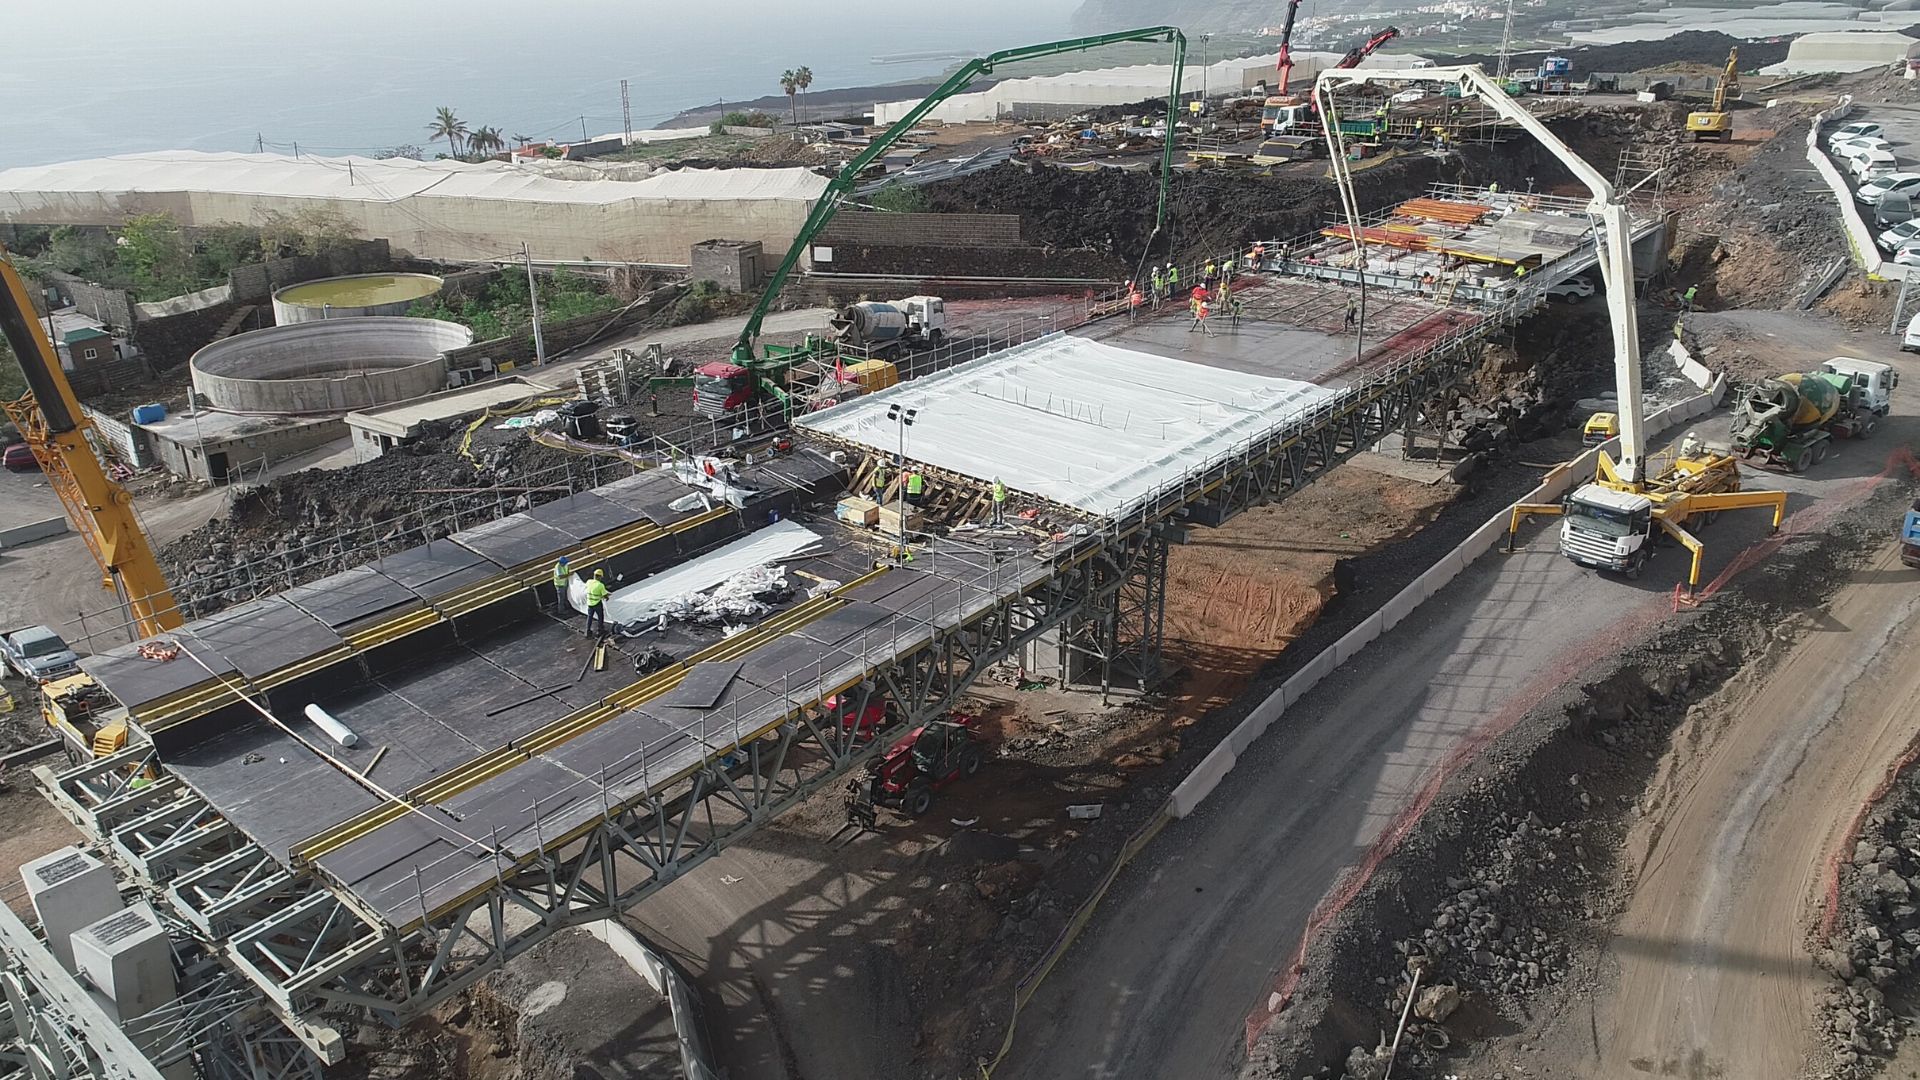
[{"x": 285, "y": 952}]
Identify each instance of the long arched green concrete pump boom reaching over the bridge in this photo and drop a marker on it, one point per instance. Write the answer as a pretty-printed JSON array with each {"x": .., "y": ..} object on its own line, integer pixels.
[{"x": 844, "y": 184}]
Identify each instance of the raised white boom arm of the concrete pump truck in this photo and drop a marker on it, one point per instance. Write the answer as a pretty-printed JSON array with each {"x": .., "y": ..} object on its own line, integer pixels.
[{"x": 1616, "y": 235}]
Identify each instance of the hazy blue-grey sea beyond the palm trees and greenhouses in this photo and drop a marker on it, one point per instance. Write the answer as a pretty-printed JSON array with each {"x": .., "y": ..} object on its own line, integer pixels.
[{"x": 360, "y": 76}]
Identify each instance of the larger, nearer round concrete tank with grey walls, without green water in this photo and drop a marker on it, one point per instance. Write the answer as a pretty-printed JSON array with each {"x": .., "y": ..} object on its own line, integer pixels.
[{"x": 327, "y": 368}]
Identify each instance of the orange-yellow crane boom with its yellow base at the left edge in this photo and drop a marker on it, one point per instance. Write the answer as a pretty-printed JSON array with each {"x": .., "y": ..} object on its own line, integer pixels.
[{"x": 55, "y": 428}]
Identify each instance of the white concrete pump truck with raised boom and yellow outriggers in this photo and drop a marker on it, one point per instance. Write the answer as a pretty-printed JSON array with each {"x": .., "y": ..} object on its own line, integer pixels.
[{"x": 1612, "y": 522}]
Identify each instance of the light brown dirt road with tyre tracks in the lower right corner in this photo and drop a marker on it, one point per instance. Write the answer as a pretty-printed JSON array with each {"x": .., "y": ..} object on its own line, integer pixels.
[{"x": 1710, "y": 966}]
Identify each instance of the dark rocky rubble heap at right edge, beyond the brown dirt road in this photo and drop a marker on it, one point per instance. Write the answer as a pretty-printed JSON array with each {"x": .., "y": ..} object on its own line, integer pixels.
[{"x": 1877, "y": 945}]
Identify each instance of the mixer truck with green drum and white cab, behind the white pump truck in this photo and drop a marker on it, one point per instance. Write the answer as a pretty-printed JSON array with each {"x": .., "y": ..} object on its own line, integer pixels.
[{"x": 1790, "y": 420}]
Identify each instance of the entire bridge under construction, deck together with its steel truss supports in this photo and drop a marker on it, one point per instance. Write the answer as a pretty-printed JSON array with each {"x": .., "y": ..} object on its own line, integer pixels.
[{"x": 504, "y": 789}]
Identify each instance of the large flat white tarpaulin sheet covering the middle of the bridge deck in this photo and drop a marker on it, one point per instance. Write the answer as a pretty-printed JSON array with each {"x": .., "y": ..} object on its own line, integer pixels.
[{"x": 1070, "y": 420}]
